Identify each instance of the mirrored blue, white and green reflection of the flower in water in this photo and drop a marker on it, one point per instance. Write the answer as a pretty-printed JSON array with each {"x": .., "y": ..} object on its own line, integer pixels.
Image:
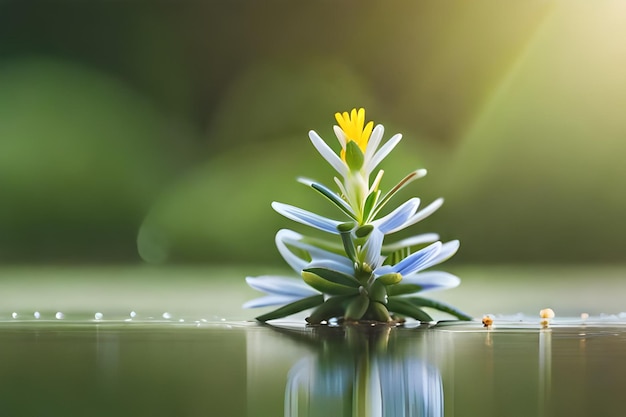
[{"x": 363, "y": 371}]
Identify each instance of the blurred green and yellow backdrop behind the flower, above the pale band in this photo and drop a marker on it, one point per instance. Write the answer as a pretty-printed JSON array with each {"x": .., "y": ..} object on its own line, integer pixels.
[{"x": 162, "y": 131}]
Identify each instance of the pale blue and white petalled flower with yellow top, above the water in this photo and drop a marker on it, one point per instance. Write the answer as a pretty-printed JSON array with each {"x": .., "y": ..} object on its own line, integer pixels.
[{"x": 361, "y": 276}]
